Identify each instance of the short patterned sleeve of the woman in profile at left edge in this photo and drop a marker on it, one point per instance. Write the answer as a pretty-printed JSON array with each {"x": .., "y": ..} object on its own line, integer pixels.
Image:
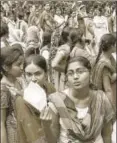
[{"x": 4, "y": 99}]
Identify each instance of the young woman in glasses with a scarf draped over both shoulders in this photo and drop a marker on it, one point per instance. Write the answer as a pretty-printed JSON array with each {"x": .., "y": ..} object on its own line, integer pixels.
[{"x": 79, "y": 113}]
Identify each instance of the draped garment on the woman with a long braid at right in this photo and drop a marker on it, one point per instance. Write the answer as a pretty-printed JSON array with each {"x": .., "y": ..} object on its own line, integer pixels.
[{"x": 107, "y": 67}]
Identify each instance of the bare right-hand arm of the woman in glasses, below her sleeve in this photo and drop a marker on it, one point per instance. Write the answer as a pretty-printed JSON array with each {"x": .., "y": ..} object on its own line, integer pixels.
[{"x": 106, "y": 132}]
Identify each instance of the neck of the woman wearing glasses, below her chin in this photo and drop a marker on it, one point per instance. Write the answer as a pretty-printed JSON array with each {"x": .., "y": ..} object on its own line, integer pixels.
[{"x": 81, "y": 93}]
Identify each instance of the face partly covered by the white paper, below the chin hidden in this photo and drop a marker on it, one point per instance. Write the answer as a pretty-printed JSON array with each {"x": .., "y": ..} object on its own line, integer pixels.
[{"x": 35, "y": 74}]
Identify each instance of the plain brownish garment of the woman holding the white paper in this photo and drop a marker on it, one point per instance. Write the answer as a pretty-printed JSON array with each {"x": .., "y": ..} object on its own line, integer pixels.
[{"x": 30, "y": 128}]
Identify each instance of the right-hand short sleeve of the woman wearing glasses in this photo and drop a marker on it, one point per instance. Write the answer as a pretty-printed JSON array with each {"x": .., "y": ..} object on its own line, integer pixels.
[{"x": 109, "y": 110}]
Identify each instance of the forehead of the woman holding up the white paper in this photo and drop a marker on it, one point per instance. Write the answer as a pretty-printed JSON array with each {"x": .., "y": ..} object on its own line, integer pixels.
[{"x": 32, "y": 68}]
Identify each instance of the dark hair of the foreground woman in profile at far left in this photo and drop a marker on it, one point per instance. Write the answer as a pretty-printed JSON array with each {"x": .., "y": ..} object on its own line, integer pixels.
[{"x": 9, "y": 55}]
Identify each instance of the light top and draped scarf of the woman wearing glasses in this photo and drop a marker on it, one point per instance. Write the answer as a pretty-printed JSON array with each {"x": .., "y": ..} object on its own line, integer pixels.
[{"x": 70, "y": 127}]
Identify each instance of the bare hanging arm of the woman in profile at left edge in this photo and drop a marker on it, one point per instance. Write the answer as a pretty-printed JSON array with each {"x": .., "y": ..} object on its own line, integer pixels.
[{"x": 3, "y": 127}]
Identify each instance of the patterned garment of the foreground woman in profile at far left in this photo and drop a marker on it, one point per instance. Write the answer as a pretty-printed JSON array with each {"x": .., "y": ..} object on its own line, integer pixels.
[{"x": 8, "y": 99}]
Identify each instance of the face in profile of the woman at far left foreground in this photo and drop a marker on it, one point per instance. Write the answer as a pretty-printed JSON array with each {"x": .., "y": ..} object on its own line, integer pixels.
[{"x": 16, "y": 69}]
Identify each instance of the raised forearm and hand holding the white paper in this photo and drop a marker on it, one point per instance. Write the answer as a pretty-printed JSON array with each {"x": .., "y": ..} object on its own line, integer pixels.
[{"x": 50, "y": 122}]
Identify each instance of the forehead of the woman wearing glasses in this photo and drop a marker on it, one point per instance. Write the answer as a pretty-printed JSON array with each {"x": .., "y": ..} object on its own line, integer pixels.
[{"x": 75, "y": 65}]
